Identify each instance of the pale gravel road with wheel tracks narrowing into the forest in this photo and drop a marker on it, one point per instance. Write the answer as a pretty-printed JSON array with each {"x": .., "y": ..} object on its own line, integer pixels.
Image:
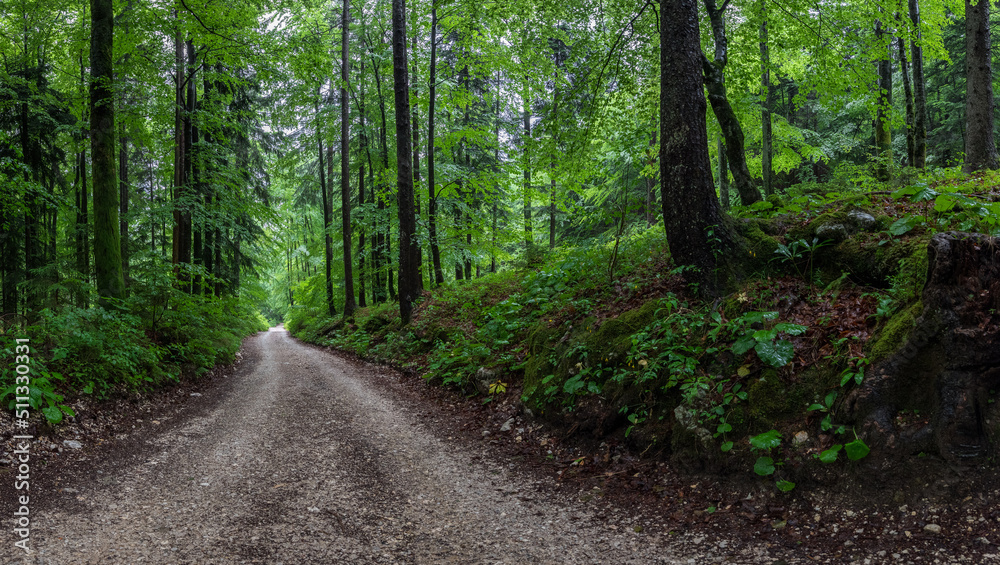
[{"x": 307, "y": 458}]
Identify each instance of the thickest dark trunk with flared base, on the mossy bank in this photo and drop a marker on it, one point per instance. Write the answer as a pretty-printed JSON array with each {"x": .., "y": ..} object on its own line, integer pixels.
[{"x": 690, "y": 209}]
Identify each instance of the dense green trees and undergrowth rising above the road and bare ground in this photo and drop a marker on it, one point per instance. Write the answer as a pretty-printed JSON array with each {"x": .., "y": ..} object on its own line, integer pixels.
[{"x": 177, "y": 174}]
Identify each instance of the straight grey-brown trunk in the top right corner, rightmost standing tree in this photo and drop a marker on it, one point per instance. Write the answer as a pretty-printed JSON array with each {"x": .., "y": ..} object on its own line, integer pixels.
[{"x": 980, "y": 149}]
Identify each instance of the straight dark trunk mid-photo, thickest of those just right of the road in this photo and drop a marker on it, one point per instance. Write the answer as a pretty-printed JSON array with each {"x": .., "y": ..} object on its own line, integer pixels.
[{"x": 408, "y": 287}]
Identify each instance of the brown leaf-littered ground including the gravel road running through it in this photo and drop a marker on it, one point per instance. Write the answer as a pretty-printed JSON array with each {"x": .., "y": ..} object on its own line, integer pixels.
[{"x": 300, "y": 455}]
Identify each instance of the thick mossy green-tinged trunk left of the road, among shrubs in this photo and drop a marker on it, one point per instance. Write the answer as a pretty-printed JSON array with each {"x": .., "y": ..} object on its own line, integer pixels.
[{"x": 107, "y": 248}]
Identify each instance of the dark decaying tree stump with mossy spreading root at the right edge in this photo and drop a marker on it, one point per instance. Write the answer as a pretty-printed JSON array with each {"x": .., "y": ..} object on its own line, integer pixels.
[{"x": 947, "y": 367}]
